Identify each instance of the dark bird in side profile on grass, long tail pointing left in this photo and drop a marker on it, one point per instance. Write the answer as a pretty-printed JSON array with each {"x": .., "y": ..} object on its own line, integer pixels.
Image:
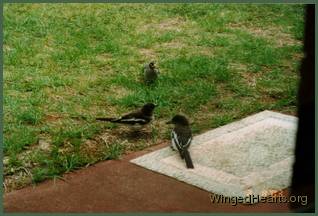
[{"x": 139, "y": 117}]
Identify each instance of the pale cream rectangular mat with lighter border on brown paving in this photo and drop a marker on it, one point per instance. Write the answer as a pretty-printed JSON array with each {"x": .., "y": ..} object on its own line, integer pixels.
[{"x": 250, "y": 156}]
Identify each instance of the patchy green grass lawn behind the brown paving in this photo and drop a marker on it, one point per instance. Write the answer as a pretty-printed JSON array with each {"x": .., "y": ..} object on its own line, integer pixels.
[{"x": 65, "y": 64}]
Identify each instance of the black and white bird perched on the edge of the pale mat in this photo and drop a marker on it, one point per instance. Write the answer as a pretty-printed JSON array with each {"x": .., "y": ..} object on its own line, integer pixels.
[{"x": 181, "y": 137}]
